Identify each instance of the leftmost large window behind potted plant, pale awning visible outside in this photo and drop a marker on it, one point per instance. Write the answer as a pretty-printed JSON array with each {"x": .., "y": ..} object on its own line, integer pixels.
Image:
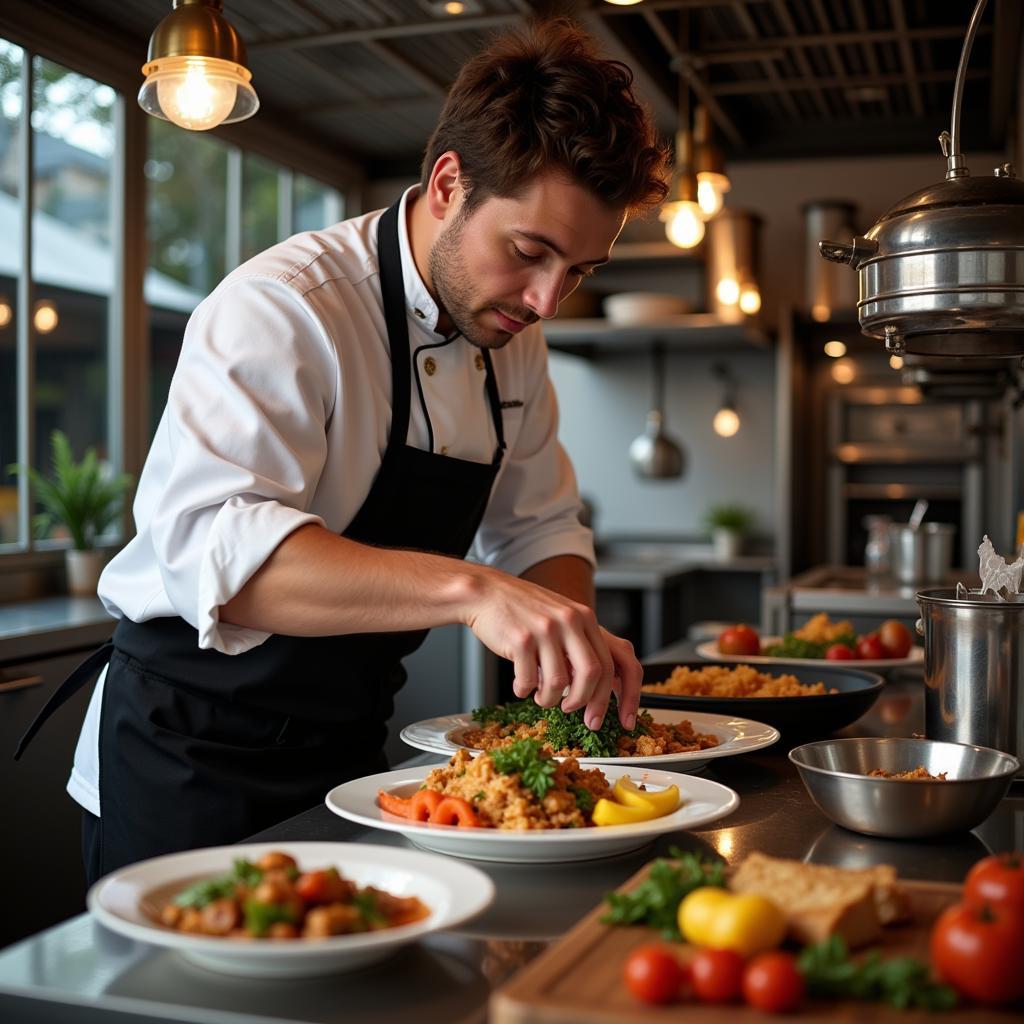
[{"x": 72, "y": 280}]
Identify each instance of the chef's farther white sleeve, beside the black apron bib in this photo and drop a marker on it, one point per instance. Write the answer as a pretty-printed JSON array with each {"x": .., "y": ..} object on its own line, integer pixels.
[{"x": 534, "y": 514}]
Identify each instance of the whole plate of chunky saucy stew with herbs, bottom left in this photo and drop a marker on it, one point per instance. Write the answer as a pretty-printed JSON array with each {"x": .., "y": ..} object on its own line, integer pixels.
[{"x": 361, "y": 904}]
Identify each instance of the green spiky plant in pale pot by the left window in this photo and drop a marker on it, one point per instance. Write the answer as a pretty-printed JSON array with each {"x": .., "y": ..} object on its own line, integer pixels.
[{"x": 87, "y": 499}]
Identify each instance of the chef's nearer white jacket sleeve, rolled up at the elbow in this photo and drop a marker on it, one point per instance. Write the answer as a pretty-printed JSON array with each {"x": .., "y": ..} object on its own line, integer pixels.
[{"x": 248, "y": 407}]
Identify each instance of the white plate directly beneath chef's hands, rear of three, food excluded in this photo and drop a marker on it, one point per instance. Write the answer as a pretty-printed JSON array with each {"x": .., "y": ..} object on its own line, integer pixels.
[{"x": 737, "y": 736}]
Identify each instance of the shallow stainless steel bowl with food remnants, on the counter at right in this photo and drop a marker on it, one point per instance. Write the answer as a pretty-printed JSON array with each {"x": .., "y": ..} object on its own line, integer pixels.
[{"x": 836, "y": 774}]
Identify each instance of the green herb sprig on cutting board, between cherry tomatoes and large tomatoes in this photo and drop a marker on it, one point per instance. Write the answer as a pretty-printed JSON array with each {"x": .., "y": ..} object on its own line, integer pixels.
[{"x": 903, "y": 983}]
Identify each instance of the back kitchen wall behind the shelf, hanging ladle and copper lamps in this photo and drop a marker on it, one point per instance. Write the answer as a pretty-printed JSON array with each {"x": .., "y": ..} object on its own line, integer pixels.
[{"x": 605, "y": 402}]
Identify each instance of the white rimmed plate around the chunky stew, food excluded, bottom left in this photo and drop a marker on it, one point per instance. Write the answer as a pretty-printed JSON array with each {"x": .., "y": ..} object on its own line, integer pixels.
[{"x": 454, "y": 892}]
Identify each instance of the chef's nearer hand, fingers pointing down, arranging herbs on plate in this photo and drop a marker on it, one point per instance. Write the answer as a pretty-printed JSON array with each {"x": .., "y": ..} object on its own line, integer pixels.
[{"x": 557, "y": 644}]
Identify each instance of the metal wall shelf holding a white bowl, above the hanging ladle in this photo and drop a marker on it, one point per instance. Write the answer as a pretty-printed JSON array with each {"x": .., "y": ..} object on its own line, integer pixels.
[{"x": 693, "y": 332}]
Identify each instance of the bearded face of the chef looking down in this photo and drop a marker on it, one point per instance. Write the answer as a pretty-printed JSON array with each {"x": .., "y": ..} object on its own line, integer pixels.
[{"x": 509, "y": 263}]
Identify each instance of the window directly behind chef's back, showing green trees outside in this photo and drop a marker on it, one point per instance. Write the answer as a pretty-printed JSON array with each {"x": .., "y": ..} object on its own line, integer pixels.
[{"x": 192, "y": 205}]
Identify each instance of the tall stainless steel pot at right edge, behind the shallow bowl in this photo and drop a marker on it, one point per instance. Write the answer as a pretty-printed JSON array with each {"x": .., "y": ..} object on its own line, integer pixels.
[{"x": 974, "y": 669}]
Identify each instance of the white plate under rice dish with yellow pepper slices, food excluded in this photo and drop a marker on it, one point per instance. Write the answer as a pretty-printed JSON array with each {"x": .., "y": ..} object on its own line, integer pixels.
[{"x": 704, "y": 801}]
